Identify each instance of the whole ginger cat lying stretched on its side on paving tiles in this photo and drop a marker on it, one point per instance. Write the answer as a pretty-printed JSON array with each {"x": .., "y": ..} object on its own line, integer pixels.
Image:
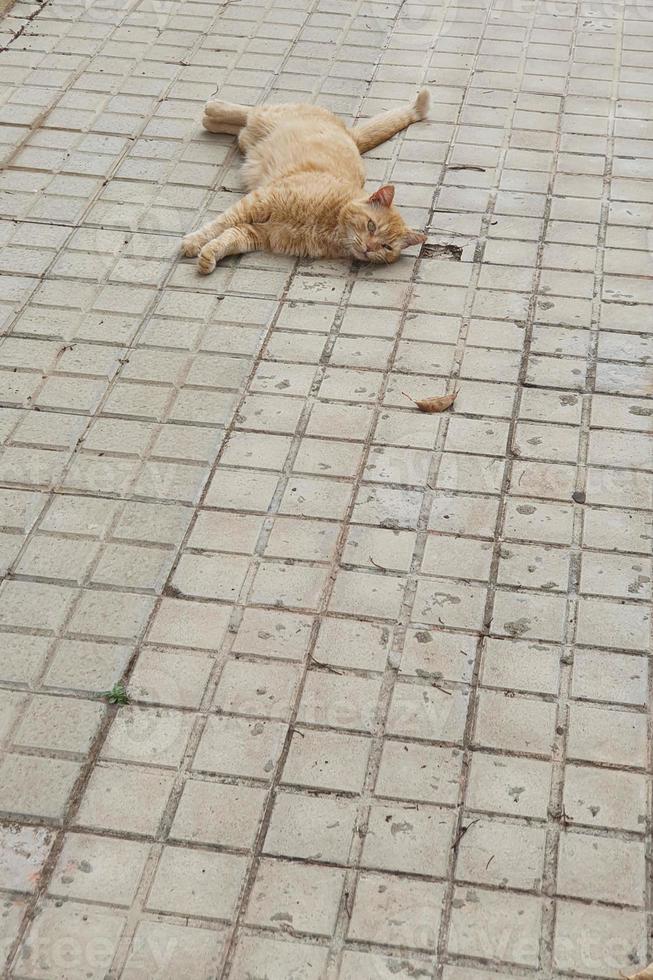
[{"x": 305, "y": 178}]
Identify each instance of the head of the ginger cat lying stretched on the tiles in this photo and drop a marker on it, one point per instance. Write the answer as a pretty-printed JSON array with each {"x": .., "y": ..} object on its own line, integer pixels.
[{"x": 375, "y": 231}]
